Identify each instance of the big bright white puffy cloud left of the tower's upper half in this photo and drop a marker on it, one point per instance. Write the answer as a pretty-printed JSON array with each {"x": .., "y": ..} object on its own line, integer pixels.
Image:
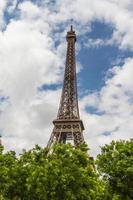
[{"x": 25, "y": 62}]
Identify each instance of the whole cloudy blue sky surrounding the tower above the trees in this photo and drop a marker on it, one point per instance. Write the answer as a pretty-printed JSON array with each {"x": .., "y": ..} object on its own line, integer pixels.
[{"x": 32, "y": 56}]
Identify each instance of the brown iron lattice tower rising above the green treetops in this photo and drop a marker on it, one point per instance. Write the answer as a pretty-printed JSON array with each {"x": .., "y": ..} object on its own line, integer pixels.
[{"x": 68, "y": 127}]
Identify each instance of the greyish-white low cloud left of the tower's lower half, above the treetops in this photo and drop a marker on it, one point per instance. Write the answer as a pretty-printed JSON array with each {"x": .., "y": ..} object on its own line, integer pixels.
[{"x": 29, "y": 124}]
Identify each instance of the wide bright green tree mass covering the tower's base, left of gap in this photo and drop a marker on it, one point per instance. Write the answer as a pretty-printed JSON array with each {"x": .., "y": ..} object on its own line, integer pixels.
[{"x": 66, "y": 173}]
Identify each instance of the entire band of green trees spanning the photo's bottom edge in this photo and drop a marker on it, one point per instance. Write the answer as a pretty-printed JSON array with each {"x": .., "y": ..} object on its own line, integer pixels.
[{"x": 68, "y": 173}]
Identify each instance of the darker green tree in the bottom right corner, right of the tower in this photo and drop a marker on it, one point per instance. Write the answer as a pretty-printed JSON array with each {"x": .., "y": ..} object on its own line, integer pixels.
[{"x": 115, "y": 165}]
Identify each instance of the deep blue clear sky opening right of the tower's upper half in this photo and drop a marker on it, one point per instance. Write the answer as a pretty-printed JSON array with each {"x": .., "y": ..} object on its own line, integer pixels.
[{"x": 98, "y": 60}]
